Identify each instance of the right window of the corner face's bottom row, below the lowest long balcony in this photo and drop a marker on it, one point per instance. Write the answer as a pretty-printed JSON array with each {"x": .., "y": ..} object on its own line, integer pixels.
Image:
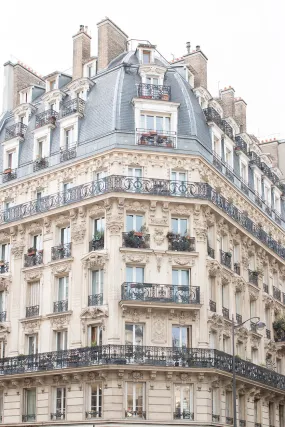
[{"x": 184, "y": 401}]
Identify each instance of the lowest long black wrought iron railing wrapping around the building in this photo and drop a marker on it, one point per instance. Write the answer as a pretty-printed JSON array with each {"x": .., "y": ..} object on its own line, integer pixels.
[{"x": 143, "y": 355}]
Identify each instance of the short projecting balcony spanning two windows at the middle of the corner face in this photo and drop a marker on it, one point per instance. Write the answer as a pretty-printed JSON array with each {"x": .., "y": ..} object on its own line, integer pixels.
[{"x": 152, "y": 292}]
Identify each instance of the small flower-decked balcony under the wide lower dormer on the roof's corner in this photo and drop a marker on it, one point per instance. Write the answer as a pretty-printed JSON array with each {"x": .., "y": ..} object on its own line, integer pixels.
[{"x": 166, "y": 139}]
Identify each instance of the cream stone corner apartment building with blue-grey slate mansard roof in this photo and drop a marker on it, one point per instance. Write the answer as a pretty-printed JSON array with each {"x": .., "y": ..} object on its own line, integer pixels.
[{"x": 139, "y": 217}]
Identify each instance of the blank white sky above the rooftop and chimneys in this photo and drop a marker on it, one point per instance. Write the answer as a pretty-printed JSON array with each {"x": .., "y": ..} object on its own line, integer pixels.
[{"x": 243, "y": 40}]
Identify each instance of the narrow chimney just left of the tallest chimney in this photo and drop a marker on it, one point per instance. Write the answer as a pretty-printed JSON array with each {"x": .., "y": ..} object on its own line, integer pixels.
[{"x": 81, "y": 51}]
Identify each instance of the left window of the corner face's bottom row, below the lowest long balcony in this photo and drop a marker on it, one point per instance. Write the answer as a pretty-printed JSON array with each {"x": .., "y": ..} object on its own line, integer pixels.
[{"x": 135, "y": 400}]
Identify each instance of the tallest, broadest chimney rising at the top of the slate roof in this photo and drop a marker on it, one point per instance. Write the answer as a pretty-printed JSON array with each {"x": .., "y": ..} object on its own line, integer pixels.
[{"x": 112, "y": 41}]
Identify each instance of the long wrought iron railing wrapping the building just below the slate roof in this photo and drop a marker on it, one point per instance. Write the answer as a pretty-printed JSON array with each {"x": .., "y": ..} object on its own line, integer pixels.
[{"x": 159, "y": 187}]
